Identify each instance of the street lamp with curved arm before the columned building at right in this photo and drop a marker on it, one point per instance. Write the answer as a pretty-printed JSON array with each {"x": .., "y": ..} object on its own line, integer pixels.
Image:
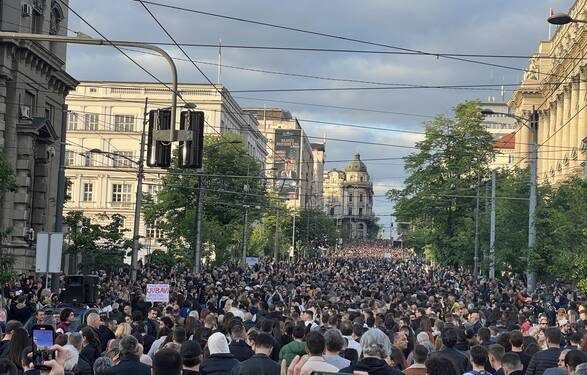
[{"x": 532, "y": 124}]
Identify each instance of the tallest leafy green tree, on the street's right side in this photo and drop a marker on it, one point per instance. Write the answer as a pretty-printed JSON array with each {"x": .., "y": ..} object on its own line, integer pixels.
[{"x": 443, "y": 172}]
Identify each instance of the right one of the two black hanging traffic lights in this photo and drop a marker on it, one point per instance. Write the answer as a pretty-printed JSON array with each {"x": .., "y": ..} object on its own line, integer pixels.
[{"x": 191, "y": 151}]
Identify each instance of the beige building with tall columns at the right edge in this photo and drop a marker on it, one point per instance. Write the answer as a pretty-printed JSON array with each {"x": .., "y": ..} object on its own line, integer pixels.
[{"x": 555, "y": 84}]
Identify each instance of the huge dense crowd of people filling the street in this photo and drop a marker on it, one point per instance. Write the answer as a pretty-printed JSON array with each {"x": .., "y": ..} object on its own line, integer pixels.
[{"x": 353, "y": 313}]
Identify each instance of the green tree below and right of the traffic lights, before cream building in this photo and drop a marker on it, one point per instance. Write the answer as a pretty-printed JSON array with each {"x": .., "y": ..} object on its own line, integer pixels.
[{"x": 173, "y": 209}]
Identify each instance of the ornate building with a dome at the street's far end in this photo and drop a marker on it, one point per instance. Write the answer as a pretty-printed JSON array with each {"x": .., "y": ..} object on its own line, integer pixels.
[{"x": 348, "y": 197}]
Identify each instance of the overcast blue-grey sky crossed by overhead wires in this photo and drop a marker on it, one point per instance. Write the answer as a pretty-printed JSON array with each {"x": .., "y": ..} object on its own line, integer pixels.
[{"x": 498, "y": 27}]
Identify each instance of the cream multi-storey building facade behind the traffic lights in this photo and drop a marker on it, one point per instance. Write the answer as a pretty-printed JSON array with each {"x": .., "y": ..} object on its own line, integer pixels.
[{"x": 109, "y": 116}]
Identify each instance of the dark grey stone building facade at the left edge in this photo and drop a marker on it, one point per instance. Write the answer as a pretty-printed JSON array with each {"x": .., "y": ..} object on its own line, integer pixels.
[{"x": 33, "y": 86}]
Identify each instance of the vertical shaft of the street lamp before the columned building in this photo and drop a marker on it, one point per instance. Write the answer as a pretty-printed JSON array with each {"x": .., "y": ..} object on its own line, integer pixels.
[{"x": 531, "y": 275}]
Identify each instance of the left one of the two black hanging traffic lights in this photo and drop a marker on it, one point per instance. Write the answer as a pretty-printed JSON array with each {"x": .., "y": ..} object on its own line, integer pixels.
[{"x": 158, "y": 152}]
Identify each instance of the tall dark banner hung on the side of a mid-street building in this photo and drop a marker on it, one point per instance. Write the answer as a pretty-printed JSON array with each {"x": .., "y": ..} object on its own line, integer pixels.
[{"x": 287, "y": 162}]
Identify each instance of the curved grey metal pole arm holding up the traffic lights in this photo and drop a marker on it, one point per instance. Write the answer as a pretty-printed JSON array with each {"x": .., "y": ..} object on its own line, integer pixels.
[{"x": 103, "y": 42}]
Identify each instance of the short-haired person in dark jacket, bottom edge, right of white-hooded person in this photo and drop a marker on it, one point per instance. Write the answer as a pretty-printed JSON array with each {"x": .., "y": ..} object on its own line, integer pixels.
[{"x": 260, "y": 363}]
